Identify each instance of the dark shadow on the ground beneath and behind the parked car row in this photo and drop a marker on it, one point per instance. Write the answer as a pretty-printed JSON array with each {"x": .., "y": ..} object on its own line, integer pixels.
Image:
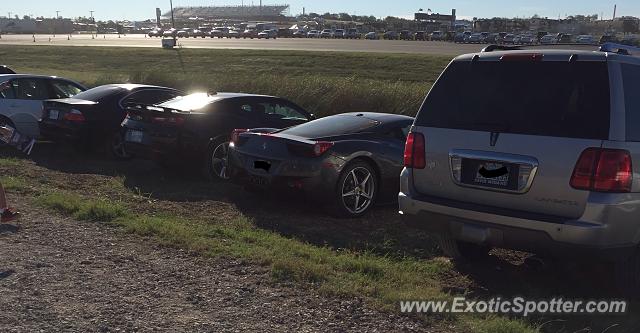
[{"x": 505, "y": 273}]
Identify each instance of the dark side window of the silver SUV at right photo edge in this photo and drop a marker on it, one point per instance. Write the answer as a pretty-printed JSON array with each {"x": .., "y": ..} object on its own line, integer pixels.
[{"x": 631, "y": 78}]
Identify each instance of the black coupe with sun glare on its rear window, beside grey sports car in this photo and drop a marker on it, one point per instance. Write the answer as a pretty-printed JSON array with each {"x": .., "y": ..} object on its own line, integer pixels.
[{"x": 197, "y": 128}]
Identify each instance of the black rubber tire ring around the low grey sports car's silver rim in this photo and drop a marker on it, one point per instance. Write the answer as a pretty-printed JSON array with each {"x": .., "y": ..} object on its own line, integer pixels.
[{"x": 339, "y": 207}]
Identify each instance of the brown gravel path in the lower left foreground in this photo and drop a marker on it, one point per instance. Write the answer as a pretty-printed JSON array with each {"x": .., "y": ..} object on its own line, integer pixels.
[{"x": 59, "y": 275}]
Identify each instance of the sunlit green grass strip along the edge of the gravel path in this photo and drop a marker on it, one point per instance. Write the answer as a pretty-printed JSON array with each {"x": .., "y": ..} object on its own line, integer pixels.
[{"x": 384, "y": 281}]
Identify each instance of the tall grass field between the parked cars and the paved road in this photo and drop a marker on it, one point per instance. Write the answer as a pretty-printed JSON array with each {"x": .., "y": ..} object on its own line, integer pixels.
[{"x": 324, "y": 83}]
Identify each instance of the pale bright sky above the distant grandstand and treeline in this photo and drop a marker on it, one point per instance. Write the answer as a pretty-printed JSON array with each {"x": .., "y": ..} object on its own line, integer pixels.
[{"x": 143, "y": 9}]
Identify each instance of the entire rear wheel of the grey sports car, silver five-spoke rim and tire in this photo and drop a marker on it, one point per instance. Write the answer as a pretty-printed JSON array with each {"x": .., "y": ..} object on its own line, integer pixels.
[{"x": 357, "y": 189}]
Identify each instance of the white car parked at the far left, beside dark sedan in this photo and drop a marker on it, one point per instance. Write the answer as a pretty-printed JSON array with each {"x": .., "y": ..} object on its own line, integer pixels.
[{"x": 21, "y": 98}]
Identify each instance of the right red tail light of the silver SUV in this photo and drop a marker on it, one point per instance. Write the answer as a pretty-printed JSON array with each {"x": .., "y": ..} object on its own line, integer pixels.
[{"x": 603, "y": 170}]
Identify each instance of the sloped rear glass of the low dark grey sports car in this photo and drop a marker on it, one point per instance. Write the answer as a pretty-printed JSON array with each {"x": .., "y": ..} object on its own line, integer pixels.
[{"x": 332, "y": 126}]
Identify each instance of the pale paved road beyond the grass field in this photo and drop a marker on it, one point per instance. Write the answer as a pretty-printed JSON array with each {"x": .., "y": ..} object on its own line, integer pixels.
[{"x": 382, "y": 46}]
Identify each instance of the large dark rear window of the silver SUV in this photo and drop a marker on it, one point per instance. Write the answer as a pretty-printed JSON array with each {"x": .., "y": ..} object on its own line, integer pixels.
[{"x": 557, "y": 99}]
